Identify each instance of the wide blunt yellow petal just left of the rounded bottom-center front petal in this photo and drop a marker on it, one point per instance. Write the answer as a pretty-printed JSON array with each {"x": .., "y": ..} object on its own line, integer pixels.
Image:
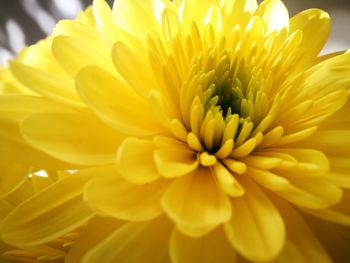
[{"x": 113, "y": 196}]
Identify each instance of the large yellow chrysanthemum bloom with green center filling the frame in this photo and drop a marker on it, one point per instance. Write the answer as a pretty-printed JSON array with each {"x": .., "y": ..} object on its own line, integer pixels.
[{"x": 210, "y": 131}]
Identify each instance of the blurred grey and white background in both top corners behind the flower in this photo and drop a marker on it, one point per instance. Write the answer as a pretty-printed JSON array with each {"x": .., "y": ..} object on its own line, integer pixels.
[{"x": 23, "y": 22}]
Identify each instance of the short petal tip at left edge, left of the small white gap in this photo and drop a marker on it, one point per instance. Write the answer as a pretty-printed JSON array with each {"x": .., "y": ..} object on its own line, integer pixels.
[{"x": 11, "y": 177}]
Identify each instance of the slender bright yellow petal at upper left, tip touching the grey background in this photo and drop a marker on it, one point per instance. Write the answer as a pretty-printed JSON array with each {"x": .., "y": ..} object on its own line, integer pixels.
[{"x": 58, "y": 88}]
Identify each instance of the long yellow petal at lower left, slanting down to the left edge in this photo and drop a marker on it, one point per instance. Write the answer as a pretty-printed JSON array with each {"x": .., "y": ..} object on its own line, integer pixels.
[{"x": 57, "y": 209}]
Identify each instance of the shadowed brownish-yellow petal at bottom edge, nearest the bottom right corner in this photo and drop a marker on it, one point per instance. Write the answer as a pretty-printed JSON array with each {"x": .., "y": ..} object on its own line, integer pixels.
[{"x": 301, "y": 245}]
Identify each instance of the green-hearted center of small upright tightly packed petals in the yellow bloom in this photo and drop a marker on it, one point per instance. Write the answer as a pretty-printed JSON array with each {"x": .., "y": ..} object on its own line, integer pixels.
[{"x": 226, "y": 101}]
